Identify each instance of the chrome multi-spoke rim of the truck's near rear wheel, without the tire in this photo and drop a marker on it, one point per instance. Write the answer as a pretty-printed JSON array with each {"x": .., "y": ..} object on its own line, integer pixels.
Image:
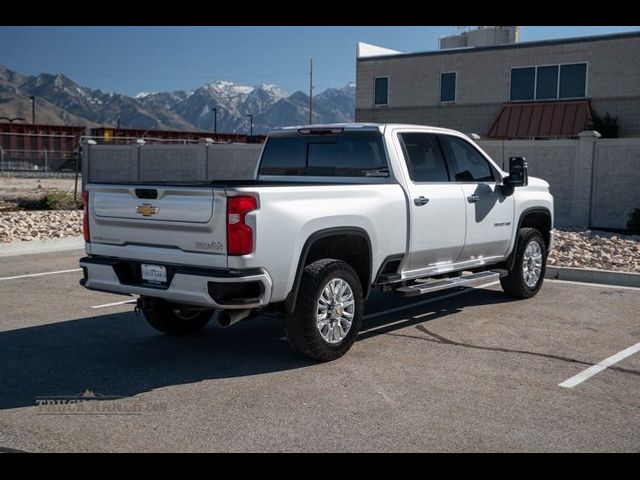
[{"x": 335, "y": 310}]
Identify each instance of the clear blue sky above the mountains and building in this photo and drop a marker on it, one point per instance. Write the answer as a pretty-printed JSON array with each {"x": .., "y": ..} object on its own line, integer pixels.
[{"x": 133, "y": 59}]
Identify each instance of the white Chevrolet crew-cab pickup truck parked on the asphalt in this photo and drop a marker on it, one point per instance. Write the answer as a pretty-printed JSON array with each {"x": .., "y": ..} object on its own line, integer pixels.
[{"x": 333, "y": 211}]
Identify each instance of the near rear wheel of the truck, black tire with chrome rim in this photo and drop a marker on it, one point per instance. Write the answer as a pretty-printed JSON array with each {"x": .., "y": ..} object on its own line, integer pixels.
[{"x": 328, "y": 313}]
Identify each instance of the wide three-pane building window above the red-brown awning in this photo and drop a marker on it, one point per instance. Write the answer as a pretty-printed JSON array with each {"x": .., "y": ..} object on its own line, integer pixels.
[{"x": 549, "y": 82}]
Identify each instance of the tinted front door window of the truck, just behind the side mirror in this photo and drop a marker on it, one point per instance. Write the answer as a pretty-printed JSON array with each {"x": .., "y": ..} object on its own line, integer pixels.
[{"x": 466, "y": 162}]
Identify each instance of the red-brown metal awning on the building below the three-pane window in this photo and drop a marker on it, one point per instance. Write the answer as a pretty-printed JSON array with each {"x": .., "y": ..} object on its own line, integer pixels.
[{"x": 542, "y": 119}]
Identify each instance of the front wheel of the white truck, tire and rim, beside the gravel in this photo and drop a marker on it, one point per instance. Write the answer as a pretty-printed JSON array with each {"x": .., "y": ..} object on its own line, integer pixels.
[{"x": 527, "y": 274}]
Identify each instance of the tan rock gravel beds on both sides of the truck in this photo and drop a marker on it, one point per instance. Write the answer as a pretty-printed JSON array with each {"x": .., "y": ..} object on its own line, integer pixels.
[{"x": 586, "y": 249}]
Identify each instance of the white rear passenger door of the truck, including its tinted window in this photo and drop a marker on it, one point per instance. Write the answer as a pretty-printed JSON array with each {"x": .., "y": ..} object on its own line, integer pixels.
[{"x": 437, "y": 206}]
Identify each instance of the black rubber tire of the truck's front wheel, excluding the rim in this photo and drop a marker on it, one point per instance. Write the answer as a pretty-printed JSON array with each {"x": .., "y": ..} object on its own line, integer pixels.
[{"x": 514, "y": 283}]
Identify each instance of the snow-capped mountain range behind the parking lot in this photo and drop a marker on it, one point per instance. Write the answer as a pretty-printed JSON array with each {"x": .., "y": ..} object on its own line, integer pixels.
[{"x": 60, "y": 100}]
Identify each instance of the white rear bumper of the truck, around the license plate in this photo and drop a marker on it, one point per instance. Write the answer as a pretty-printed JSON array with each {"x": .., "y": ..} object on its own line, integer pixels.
[{"x": 206, "y": 287}]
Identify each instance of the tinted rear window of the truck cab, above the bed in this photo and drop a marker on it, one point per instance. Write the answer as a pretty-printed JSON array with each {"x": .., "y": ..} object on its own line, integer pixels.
[{"x": 348, "y": 155}]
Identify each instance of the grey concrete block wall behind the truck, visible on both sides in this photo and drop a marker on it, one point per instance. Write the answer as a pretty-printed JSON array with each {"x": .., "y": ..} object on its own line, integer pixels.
[{"x": 595, "y": 182}]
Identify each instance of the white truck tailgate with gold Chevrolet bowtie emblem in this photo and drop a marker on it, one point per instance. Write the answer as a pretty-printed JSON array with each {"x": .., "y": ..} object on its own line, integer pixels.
[{"x": 157, "y": 223}]
